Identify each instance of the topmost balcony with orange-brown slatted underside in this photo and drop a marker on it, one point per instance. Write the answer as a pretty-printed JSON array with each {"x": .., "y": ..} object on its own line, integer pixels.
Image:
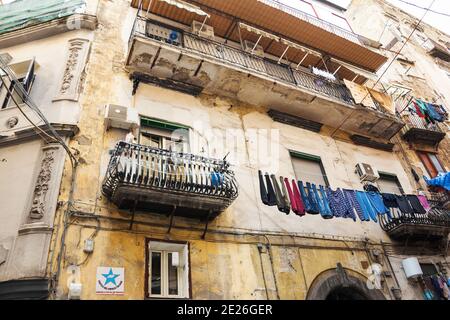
[{"x": 278, "y": 18}]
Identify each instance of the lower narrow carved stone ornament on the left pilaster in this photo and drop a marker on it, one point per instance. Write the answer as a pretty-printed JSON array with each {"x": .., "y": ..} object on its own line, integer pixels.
[{"x": 42, "y": 185}]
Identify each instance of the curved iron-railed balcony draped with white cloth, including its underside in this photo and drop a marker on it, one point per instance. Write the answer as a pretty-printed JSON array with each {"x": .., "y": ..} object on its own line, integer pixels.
[{"x": 159, "y": 181}]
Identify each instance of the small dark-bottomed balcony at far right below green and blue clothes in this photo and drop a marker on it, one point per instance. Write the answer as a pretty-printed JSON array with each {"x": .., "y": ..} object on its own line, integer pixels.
[{"x": 418, "y": 131}]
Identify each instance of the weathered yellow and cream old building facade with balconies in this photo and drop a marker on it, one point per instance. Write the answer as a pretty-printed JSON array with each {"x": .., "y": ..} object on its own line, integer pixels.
[{"x": 169, "y": 110}]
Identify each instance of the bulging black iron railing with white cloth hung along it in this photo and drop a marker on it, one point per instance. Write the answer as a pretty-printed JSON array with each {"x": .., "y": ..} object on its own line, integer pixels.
[{"x": 158, "y": 169}]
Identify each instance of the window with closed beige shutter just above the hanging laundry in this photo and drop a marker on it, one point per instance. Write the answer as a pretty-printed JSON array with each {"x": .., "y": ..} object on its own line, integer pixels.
[{"x": 309, "y": 168}]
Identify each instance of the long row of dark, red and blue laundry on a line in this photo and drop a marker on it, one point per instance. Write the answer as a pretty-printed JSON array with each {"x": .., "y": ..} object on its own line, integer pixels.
[{"x": 301, "y": 198}]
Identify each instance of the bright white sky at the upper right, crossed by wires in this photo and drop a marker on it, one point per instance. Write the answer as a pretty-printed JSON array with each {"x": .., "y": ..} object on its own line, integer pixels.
[{"x": 440, "y": 22}]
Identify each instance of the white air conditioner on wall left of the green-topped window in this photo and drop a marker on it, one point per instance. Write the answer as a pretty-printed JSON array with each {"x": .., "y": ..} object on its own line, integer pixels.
[{"x": 121, "y": 117}]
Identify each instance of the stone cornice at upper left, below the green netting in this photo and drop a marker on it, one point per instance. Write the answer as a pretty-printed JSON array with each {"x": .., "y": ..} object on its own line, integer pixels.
[{"x": 48, "y": 29}]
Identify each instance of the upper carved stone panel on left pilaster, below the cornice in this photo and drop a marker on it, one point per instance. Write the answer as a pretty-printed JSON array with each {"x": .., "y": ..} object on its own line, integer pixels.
[{"x": 72, "y": 75}]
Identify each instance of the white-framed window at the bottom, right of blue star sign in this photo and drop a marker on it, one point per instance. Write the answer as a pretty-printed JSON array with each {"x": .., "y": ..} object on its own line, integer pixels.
[{"x": 168, "y": 270}]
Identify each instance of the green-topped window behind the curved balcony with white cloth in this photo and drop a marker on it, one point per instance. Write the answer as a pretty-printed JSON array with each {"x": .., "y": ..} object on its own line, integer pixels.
[{"x": 164, "y": 135}]
